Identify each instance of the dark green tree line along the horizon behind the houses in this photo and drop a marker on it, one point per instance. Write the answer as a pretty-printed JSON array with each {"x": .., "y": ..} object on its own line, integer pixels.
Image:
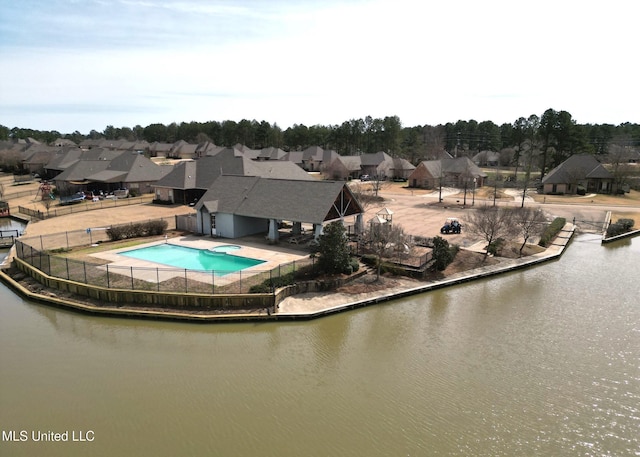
[{"x": 556, "y": 133}]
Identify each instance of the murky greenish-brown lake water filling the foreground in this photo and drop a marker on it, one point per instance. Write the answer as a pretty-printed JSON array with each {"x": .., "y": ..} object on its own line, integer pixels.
[{"x": 537, "y": 362}]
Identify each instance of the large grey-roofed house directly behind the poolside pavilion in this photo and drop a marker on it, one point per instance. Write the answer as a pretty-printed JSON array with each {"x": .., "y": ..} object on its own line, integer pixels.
[{"x": 188, "y": 181}]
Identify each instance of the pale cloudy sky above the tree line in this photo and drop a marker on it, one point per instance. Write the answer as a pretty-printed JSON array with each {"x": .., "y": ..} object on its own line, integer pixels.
[{"x": 81, "y": 65}]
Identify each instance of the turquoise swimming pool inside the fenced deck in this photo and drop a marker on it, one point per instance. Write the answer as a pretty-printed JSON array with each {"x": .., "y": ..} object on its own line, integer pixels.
[{"x": 220, "y": 262}]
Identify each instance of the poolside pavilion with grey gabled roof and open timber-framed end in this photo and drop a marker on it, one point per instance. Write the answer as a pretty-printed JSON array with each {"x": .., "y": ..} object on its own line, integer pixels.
[{"x": 237, "y": 206}]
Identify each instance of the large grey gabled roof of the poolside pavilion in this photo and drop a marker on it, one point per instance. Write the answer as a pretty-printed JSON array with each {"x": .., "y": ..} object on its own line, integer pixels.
[{"x": 305, "y": 201}]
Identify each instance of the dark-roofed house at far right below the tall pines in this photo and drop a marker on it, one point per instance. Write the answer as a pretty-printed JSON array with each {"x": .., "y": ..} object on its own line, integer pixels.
[{"x": 578, "y": 172}]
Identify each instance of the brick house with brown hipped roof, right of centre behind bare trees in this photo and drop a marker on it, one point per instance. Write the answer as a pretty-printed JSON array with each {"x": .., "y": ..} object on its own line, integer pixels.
[{"x": 457, "y": 172}]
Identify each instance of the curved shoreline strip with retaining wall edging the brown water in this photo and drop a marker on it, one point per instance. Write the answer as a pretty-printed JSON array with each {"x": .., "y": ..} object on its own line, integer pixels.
[{"x": 309, "y": 305}]
